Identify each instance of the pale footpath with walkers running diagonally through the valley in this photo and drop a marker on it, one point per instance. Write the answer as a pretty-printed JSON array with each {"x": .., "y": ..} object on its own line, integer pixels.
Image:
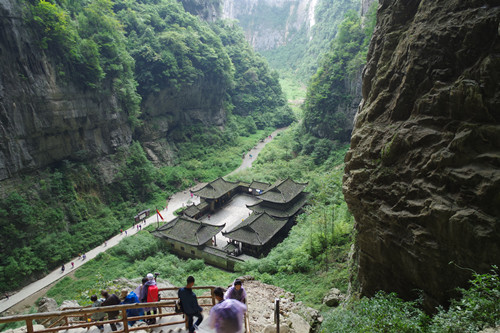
[{"x": 178, "y": 200}]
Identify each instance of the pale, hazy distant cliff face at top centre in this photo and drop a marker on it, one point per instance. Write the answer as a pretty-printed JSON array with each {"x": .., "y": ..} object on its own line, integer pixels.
[{"x": 269, "y": 23}]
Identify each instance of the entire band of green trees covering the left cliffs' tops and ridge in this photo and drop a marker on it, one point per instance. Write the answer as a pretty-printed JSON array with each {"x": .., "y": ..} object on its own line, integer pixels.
[{"x": 137, "y": 49}]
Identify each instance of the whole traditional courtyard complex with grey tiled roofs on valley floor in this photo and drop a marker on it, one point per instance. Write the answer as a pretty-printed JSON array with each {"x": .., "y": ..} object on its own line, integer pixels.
[{"x": 269, "y": 223}]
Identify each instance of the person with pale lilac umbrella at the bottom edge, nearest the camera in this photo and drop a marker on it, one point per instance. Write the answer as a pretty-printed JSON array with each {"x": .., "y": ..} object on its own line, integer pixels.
[{"x": 227, "y": 315}]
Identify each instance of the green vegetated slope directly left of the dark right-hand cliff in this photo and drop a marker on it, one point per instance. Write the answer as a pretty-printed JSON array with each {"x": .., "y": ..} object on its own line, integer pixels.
[{"x": 328, "y": 94}]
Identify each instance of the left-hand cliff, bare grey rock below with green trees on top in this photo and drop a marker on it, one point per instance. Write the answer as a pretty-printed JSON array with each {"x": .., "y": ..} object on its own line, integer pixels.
[{"x": 63, "y": 94}]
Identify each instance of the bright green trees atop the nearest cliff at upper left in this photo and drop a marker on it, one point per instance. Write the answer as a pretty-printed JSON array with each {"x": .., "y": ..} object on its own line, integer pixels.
[{"x": 86, "y": 42}]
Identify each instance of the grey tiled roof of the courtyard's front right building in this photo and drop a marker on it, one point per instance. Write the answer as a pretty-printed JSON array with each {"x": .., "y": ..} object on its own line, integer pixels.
[{"x": 257, "y": 229}]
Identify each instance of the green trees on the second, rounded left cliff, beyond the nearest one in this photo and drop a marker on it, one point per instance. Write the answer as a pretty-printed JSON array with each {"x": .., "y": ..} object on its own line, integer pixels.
[{"x": 171, "y": 48}]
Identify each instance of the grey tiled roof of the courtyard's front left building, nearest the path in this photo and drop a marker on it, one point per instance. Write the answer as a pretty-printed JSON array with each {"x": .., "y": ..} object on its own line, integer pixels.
[{"x": 189, "y": 231}]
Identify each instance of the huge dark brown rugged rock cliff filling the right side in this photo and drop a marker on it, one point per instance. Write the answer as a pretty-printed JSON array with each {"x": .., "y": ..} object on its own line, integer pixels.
[{"x": 422, "y": 177}]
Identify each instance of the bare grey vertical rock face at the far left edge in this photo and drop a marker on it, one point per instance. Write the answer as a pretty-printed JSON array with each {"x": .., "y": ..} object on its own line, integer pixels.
[{"x": 44, "y": 120}]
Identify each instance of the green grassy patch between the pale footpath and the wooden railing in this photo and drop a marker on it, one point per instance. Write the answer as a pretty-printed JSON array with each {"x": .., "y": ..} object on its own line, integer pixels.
[{"x": 133, "y": 258}]
